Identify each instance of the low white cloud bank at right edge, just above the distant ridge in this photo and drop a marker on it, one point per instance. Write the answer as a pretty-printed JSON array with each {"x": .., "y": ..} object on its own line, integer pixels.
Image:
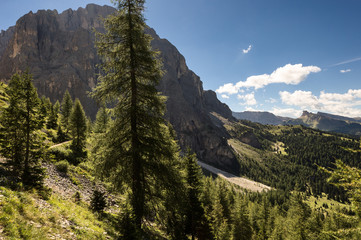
[{"x": 346, "y": 104}]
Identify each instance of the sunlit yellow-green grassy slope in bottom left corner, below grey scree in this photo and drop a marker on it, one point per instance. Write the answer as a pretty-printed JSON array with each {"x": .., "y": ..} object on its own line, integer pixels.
[{"x": 23, "y": 215}]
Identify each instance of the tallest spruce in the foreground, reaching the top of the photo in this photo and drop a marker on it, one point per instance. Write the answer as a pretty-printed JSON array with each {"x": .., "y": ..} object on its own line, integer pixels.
[{"x": 140, "y": 154}]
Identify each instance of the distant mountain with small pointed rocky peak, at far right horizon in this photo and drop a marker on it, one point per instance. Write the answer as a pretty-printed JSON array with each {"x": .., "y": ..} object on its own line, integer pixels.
[{"x": 328, "y": 122}]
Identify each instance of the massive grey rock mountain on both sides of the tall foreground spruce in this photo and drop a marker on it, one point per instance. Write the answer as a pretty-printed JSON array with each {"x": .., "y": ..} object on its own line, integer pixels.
[{"x": 59, "y": 51}]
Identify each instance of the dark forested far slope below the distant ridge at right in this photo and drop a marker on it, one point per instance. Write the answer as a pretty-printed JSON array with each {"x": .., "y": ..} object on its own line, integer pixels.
[{"x": 297, "y": 166}]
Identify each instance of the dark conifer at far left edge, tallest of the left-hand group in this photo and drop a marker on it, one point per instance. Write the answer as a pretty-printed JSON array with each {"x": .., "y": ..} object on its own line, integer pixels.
[{"x": 22, "y": 143}]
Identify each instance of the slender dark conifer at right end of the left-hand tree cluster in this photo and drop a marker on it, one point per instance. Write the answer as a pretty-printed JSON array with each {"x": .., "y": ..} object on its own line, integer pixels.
[{"x": 78, "y": 130}]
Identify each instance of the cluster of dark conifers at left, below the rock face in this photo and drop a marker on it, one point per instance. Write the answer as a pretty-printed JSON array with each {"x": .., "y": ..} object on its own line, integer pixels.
[{"x": 29, "y": 125}]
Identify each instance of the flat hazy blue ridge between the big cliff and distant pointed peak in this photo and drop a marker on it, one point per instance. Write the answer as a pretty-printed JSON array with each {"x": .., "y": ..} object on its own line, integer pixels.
[{"x": 260, "y": 117}]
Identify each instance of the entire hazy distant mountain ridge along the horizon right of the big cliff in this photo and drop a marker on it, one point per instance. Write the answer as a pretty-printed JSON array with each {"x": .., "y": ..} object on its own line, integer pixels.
[{"x": 320, "y": 120}]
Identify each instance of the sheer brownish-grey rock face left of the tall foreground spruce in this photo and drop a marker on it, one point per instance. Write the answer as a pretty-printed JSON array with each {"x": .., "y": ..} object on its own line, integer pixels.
[{"x": 58, "y": 49}]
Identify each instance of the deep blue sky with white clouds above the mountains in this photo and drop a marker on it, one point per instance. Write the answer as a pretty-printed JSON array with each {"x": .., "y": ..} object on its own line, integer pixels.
[{"x": 280, "y": 56}]
